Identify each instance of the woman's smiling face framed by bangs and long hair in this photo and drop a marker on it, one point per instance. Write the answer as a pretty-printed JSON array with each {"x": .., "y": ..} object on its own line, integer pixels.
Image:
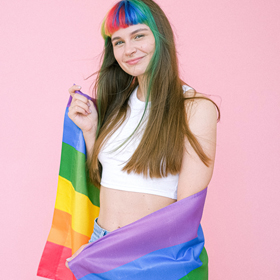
[{"x": 134, "y": 47}]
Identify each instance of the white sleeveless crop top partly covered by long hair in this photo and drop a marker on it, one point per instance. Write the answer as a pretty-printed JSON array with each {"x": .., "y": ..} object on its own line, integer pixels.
[{"x": 113, "y": 161}]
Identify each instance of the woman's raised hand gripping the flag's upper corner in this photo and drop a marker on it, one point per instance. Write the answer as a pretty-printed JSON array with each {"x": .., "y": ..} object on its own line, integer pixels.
[{"x": 82, "y": 112}]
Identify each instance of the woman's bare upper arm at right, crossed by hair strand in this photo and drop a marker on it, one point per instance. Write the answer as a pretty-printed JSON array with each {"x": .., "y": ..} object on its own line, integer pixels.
[{"x": 195, "y": 175}]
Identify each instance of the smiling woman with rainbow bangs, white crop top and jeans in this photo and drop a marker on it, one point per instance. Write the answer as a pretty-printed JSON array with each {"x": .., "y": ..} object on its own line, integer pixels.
[{"x": 153, "y": 139}]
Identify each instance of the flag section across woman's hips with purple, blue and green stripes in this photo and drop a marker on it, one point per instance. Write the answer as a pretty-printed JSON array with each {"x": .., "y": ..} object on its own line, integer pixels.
[{"x": 167, "y": 244}]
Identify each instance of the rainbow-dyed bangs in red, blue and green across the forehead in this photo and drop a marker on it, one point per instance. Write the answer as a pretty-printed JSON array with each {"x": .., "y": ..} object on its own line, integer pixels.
[{"x": 124, "y": 14}]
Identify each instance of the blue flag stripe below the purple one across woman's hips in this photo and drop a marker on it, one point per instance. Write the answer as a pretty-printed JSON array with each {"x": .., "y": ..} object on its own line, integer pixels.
[{"x": 170, "y": 263}]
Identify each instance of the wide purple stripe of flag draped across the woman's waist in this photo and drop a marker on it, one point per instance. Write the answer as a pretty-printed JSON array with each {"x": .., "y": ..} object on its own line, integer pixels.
[{"x": 169, "y": 226}]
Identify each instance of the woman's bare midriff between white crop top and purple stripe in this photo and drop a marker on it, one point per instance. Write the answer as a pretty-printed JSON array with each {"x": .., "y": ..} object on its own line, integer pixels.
[{"x": 119, "y": 208}]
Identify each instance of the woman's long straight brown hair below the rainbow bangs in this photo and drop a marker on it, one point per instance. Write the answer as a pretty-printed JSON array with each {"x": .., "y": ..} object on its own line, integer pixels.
[{"x": 161, "y": 149}]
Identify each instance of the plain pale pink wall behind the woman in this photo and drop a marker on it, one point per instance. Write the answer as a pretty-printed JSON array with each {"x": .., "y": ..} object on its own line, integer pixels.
[{"x": 226, "y": 48}]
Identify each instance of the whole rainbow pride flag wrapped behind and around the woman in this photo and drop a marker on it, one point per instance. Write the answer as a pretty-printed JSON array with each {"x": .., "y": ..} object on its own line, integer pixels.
[{"x": 167, "y": 244}]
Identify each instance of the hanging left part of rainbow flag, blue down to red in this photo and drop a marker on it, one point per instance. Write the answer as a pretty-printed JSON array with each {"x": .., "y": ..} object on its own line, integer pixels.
[{"x": 76, "y": 206}]
